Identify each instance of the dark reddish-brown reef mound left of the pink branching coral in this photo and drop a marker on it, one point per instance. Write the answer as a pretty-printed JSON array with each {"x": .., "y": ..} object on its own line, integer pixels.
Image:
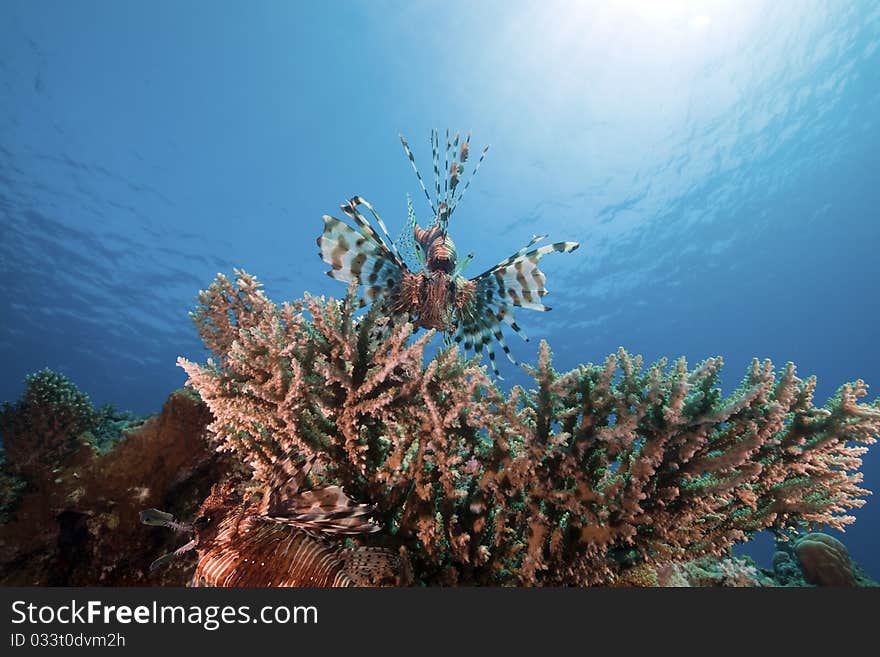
[{"x": 75, "y": 521}]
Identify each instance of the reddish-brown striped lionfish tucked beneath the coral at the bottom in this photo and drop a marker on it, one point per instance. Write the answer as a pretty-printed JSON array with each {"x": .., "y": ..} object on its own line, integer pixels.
[{"x": 282, "y": 540}]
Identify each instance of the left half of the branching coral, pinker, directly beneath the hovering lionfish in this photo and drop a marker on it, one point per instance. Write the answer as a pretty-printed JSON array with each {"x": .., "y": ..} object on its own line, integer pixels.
[{"x": 381, "y": 425}]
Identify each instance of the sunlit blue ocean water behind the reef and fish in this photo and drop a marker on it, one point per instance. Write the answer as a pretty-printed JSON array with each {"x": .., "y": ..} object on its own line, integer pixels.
[{"x": 717, "y": 161}]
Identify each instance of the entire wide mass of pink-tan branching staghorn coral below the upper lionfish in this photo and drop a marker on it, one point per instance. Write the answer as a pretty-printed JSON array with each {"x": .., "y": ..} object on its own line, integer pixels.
[{"x": 593, "y": 473}]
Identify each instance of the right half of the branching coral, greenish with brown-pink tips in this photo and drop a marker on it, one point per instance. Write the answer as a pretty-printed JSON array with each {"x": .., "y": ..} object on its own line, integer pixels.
[{"x": 653, "y": 465}]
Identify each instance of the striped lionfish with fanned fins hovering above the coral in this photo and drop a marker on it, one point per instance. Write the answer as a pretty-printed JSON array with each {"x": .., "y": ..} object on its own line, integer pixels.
[{"x": 428, "y": 287}]
